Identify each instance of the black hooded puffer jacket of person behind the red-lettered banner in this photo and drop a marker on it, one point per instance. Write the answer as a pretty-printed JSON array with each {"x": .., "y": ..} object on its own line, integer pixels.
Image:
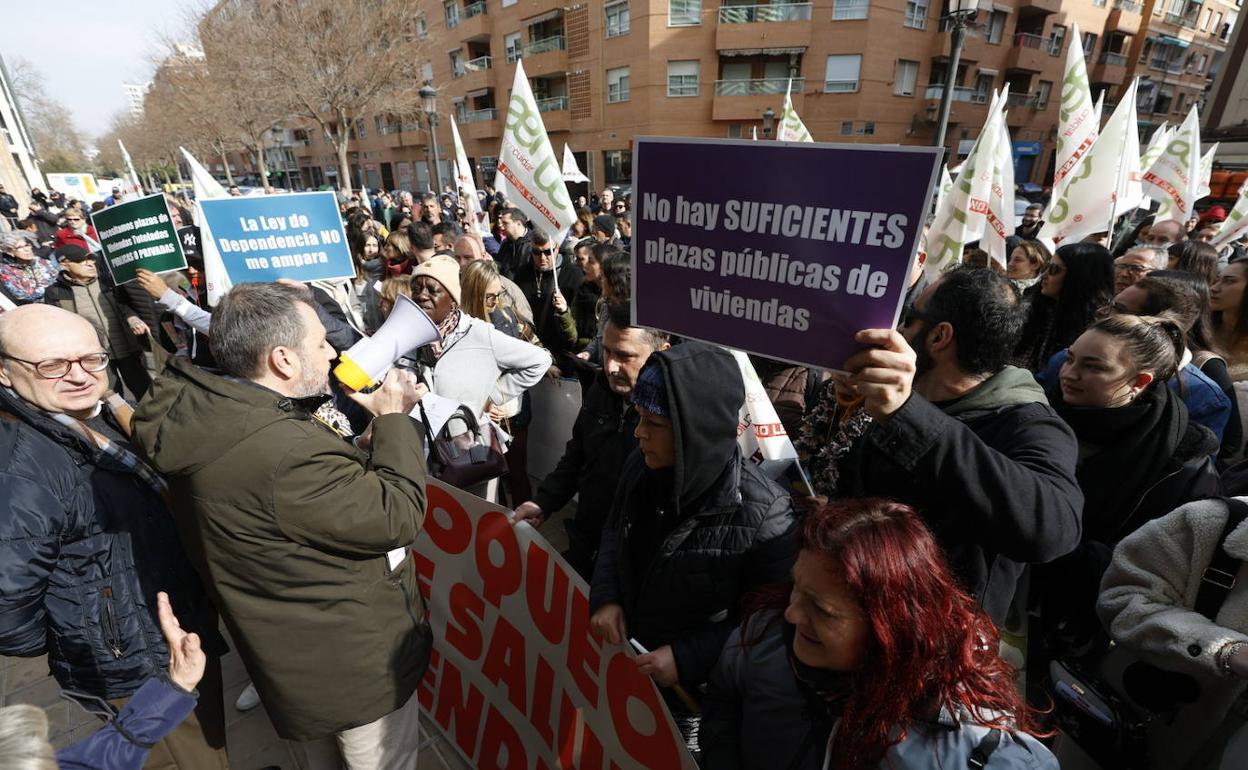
[{"x": 686, "y": 545}]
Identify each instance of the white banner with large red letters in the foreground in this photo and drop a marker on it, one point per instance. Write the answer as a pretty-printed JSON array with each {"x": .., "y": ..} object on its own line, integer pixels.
[{"x": 517, "y": 680}]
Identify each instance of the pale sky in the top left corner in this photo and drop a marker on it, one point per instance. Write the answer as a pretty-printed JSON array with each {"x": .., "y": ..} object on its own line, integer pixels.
[{"x": 85, "y": 52}]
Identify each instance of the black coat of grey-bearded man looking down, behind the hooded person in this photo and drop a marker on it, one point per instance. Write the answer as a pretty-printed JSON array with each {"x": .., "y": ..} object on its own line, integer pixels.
[{"x": 593, "y": 459}]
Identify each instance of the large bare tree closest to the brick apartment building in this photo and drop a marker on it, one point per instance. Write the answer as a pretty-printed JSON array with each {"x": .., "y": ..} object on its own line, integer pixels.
[{"x": 335, "y": 63}]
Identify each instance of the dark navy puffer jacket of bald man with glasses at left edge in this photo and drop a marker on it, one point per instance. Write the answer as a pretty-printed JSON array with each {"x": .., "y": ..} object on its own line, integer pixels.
[{"x": 85, "y": 545}]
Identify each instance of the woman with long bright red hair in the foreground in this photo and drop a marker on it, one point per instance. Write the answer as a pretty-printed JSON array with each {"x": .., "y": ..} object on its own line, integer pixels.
[{"x": 878, "y": 661}]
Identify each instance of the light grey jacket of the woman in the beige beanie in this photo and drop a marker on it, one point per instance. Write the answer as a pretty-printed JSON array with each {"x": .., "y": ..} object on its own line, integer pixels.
[{"x": 481, "y": 364}]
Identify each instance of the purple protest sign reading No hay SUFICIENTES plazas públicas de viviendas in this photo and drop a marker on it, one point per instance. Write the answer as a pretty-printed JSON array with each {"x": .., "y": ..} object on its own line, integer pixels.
[{"x": 779, "y": 249}]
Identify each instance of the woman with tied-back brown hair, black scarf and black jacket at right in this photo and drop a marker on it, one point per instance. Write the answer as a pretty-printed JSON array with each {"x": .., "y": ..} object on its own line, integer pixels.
[{"x": 1141, "y": 456}]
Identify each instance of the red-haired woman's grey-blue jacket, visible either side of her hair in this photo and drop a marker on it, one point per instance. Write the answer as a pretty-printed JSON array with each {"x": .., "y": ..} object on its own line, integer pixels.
[{"x": 757, "y": 718}]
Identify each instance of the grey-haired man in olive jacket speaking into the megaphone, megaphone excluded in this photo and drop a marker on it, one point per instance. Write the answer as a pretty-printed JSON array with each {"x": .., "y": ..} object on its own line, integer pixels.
[{"x": 298, "y": 534}]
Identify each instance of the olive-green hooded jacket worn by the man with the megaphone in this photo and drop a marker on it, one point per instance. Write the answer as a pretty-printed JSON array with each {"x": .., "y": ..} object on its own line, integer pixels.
[{"x": 289, "y": 527}]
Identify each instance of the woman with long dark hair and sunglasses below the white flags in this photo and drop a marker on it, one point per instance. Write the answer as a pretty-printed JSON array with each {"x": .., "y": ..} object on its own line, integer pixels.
[{"x": 1076, "y": 284}]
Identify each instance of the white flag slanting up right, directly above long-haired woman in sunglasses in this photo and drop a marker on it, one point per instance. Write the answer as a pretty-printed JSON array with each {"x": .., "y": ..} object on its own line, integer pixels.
[{"x": 1106, "y": 182}]
